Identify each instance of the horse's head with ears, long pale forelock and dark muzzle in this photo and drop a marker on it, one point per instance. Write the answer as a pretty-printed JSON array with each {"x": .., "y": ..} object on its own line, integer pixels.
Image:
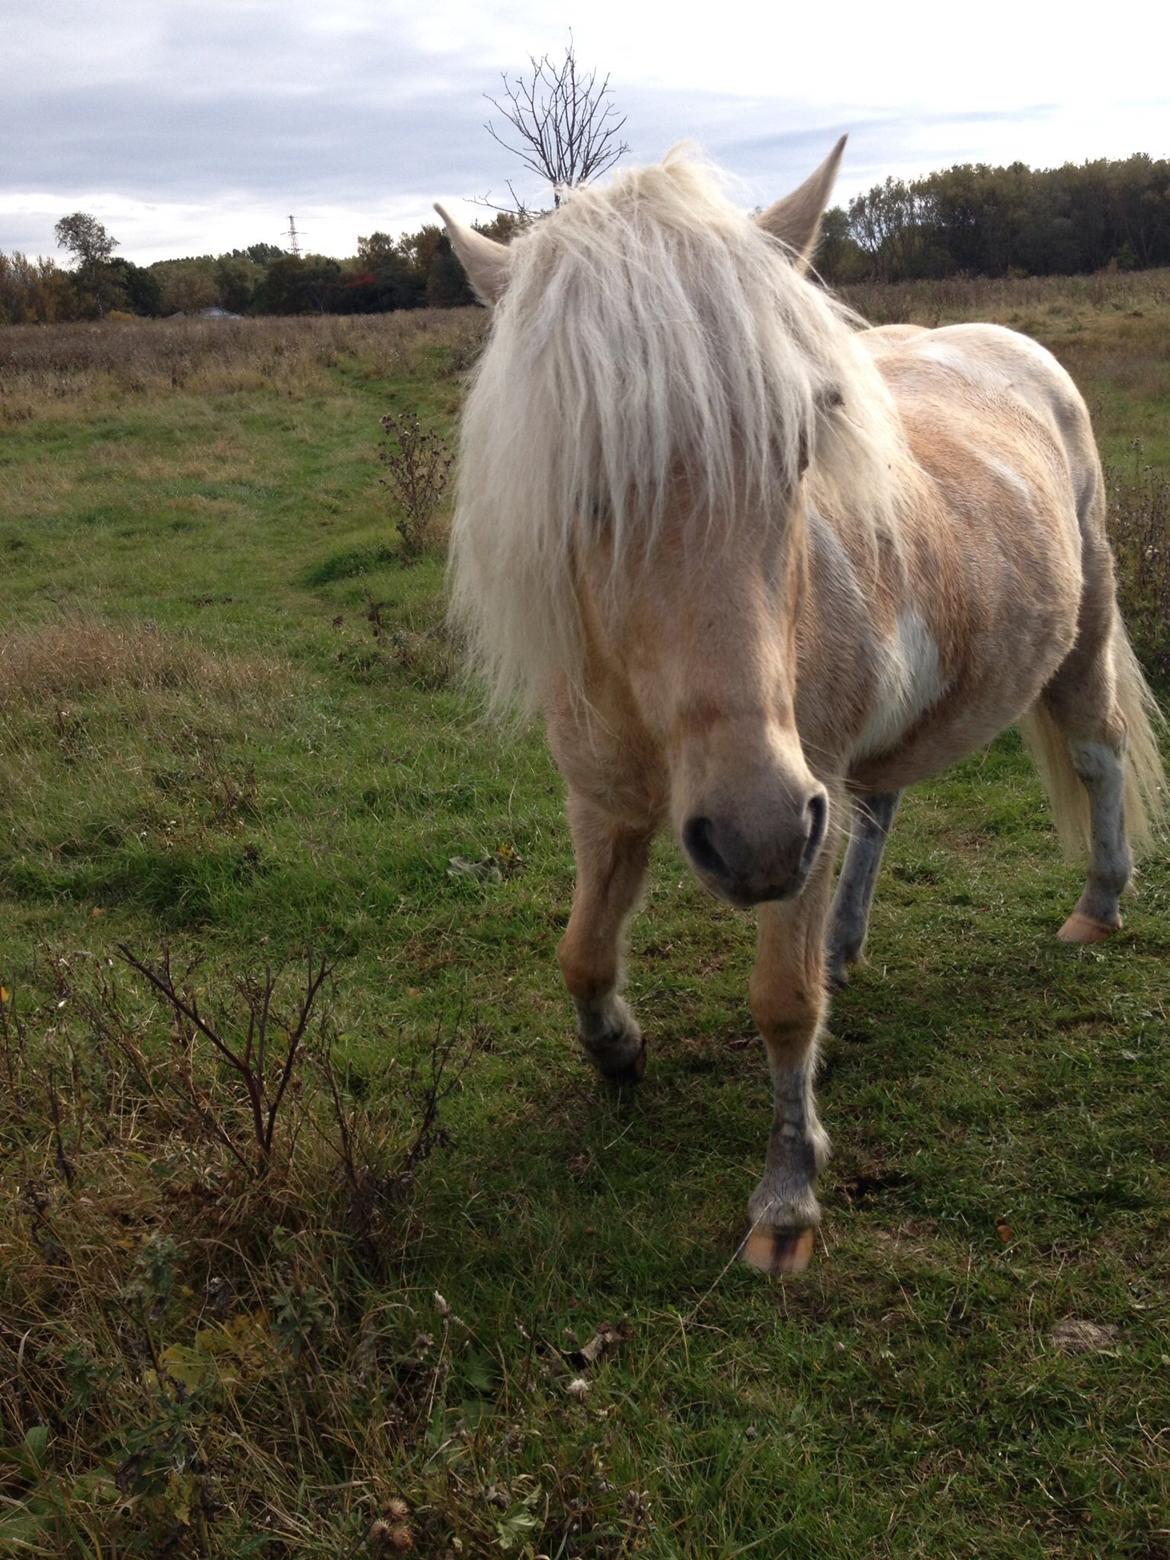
[{"x": 631, "y": 520}]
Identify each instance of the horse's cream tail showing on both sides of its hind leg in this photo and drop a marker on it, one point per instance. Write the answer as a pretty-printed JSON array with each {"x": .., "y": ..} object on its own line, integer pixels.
[{"x": 1146, "y": 787}]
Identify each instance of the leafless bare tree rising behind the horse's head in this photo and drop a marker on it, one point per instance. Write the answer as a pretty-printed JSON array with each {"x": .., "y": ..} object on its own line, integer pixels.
[{"x": 564, "y": 126}]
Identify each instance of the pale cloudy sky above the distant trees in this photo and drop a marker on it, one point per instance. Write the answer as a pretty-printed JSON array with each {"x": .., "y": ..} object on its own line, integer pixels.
[{"x": 199, "y": 127}]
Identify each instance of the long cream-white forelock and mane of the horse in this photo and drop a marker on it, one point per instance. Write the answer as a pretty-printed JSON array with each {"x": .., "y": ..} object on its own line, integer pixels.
[{"x": 654, "y": 349}]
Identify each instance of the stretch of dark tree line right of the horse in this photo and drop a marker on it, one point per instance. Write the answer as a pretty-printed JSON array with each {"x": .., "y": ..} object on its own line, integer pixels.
[{"x": 1015, "y": 221}]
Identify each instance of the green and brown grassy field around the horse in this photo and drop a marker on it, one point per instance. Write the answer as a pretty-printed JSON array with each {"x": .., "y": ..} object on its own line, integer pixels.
[{"x": 361, "y": 1261}]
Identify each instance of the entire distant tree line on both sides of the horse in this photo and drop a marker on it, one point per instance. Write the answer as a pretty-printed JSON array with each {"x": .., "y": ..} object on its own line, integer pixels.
[{"x": 973, "y": 219}]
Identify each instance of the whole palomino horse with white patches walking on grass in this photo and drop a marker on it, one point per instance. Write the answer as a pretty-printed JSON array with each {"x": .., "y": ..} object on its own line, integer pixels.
[{"x": 762, "y": 569}]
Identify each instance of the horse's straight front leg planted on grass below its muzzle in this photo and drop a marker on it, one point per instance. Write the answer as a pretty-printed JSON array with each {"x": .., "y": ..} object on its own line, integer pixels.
[{"x": 790, "y": 1007}]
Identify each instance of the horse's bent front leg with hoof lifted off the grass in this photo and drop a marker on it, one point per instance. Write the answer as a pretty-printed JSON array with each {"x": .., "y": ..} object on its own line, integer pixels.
[{"x": 611, "y": 870}]
